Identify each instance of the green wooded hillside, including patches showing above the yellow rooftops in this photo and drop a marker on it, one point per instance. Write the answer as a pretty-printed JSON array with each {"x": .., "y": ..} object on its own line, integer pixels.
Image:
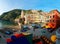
[{"x": 13, "y": 14}]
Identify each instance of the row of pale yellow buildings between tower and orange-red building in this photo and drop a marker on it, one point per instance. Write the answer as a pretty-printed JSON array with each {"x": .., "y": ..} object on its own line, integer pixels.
[{"x": 36, "y": 17}]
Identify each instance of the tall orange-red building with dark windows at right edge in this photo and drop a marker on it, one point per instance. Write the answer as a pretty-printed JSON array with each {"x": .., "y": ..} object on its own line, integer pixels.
[{"x": 54, "y": 19}]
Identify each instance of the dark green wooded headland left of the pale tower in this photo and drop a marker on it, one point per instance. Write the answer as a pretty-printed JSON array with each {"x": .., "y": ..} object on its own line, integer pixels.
[{"x": 11, "y": 15}]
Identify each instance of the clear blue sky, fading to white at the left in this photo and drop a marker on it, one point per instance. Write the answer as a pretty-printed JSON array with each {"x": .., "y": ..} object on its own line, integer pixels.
[{"x": 45, "y": 5}]
